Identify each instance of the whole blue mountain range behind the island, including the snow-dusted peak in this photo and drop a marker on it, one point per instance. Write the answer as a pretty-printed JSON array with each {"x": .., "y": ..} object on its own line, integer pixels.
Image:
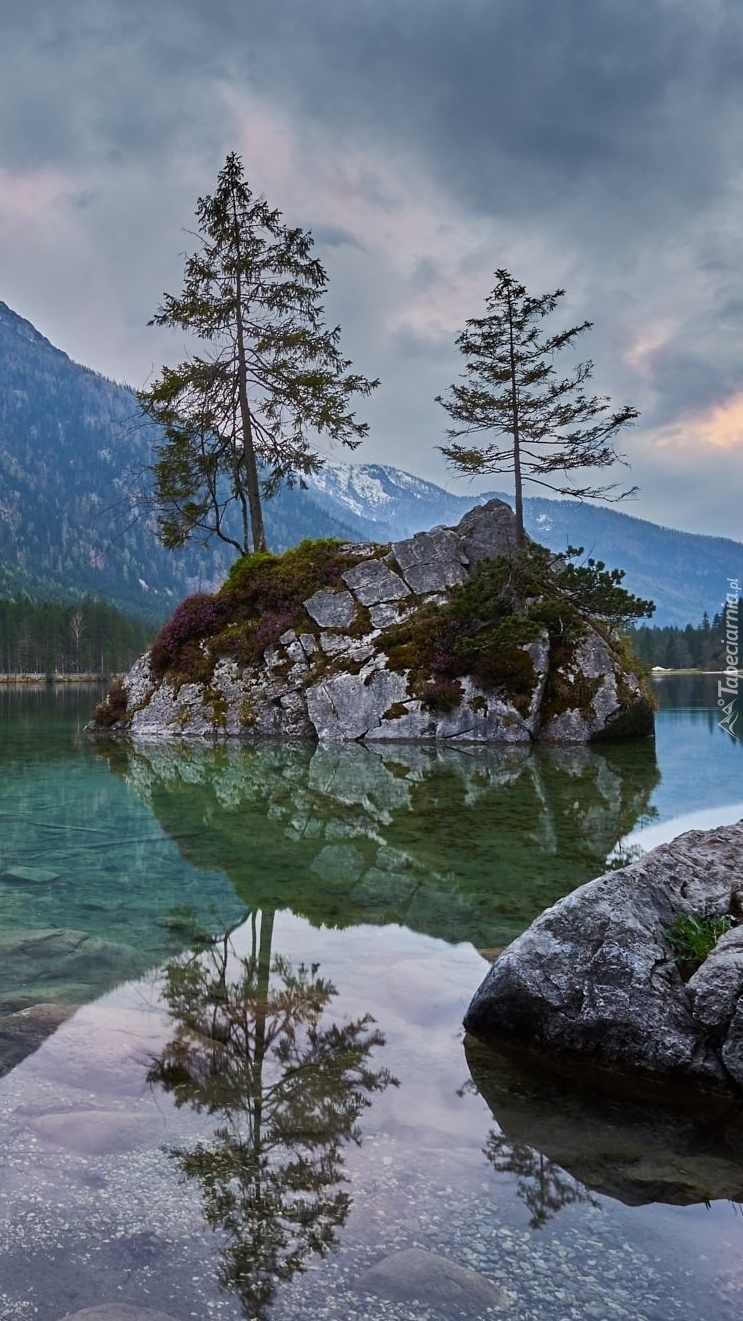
[{"x": 72, "y": 445}]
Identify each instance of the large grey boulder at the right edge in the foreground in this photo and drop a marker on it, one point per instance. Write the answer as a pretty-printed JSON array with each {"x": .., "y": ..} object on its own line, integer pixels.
[{"x": 596, "y": 977}]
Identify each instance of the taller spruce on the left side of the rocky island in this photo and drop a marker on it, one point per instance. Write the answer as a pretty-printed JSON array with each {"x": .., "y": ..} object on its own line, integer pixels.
[{"x": 240, "y": 419}]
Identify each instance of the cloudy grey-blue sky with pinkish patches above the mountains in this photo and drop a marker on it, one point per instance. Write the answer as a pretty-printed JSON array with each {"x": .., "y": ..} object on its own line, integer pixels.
[{"x": 580, "y": 145}]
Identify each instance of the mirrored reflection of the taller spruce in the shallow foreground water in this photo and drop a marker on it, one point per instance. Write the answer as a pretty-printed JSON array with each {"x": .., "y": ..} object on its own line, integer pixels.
[{"x": 252, "y": 1048}]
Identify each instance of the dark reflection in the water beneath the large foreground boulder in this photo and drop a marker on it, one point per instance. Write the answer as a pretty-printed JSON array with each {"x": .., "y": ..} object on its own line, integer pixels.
[{"x": 568, "y": 1138}]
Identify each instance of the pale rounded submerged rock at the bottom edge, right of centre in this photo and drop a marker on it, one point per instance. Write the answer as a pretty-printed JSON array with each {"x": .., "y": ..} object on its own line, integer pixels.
[{"x": 416, "y": 1275}]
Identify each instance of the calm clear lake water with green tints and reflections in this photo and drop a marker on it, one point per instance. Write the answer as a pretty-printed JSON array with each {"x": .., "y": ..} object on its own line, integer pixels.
[{"x": 233, "y": 1073}]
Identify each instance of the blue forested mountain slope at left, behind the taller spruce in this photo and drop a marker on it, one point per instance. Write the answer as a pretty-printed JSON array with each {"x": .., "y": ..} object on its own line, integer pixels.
[{"x": 73, "y": 451}]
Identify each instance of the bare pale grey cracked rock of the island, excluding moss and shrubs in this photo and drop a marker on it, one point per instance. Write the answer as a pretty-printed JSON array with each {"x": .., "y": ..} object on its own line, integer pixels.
[{"x": 335, "y": 678}]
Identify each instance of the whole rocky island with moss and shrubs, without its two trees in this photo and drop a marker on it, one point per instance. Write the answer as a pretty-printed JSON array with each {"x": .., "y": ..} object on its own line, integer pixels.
[{"x": 451, "y": 636}]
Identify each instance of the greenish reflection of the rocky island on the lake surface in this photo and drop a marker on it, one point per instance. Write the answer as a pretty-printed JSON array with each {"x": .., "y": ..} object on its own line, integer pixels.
[{"x": 465, "y": 845}]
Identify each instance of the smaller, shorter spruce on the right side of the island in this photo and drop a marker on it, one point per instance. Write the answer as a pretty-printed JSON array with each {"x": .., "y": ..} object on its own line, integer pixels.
[{"x": 551, "y": 429}]
